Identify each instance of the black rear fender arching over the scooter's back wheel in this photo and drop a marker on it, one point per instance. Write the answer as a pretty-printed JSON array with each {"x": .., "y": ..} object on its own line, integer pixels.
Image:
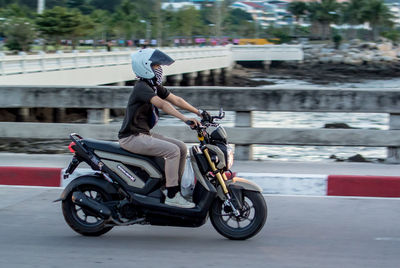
[{"x": 96, "y": 180}]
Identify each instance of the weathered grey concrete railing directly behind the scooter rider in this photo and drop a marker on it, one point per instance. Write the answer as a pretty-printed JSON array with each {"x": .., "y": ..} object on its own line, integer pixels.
[{"x": 244, "y": 101}]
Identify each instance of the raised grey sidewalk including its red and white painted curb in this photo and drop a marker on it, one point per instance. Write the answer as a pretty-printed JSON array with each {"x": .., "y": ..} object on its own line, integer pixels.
[{"x": 274, "y": 177}]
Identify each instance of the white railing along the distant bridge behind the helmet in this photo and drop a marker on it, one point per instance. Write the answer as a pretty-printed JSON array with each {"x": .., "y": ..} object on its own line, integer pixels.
[{"x": 42, "y": 62}]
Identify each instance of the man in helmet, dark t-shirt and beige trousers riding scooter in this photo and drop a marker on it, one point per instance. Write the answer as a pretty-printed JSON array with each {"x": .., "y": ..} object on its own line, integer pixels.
[{"x": 142, "y": 113}]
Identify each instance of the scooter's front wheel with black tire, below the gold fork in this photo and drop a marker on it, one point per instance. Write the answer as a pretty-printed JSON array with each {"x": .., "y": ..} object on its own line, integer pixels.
[{"x": 218, "y": 217}]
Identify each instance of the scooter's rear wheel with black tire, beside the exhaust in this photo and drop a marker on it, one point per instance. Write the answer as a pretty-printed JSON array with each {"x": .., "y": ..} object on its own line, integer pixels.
[{"x": 74, "y": 215}]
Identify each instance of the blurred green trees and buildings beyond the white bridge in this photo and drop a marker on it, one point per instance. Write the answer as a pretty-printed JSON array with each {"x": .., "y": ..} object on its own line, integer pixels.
[{"x": 48, "y": 25}]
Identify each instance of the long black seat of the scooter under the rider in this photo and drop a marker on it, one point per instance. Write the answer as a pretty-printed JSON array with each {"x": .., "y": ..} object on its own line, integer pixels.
[{"x": 113, "y": 147}]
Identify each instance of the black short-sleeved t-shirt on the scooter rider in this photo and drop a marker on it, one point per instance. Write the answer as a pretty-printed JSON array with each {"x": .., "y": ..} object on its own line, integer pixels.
[{"x": 139, "y": 109}]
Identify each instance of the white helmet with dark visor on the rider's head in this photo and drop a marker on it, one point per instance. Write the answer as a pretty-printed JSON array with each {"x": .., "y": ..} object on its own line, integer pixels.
[{"x": 144, "y": 59}]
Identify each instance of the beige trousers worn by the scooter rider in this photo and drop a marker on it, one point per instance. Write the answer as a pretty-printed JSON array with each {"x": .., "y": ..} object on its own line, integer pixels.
[{"x": 173, "y": 151}]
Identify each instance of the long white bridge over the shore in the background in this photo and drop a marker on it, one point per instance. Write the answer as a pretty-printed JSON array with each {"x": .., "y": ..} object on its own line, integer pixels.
[{"x": 101, "y": 68}]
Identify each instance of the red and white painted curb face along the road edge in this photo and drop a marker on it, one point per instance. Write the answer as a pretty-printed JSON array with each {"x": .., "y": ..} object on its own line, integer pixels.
[{"x": 271, "y": 183}]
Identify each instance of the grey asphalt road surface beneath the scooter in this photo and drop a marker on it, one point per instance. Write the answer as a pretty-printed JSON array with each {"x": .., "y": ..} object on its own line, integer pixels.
[{"x": 300, "y": 232}]
